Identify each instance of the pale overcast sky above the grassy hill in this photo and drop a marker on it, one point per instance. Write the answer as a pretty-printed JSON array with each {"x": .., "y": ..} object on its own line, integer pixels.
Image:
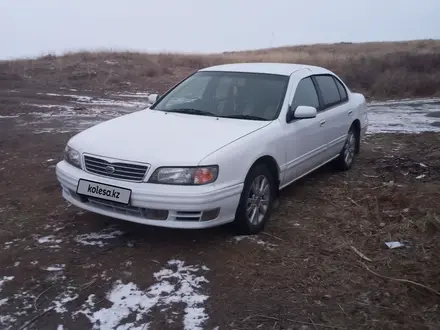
[{"x": 36, "y": 27}]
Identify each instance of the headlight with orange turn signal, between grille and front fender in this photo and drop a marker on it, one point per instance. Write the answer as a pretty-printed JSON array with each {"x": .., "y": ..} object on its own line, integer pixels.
[{"x": 185, "y": 175}]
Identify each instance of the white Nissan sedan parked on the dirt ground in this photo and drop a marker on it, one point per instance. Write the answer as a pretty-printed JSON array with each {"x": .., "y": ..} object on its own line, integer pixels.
[{"x": 216, "y": 148}]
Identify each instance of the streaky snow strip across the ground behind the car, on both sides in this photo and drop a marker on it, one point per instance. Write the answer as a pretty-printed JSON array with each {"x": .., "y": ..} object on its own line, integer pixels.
[{"x": 394, "y": 116}]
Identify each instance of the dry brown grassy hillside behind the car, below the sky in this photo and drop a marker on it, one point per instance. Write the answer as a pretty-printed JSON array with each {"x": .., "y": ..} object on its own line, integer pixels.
[{"x": 379, "y": 69}]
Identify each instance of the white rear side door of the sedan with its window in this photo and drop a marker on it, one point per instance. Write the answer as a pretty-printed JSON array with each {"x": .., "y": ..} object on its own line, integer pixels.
[{"x": 334, "y": 113}]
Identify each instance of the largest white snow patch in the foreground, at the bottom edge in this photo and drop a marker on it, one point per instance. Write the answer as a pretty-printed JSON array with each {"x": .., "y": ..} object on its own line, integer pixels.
[{"x": 177, "y": 283}]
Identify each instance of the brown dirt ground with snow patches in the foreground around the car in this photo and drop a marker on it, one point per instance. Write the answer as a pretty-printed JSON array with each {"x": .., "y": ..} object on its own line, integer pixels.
[{"x": 321, "y": 263}]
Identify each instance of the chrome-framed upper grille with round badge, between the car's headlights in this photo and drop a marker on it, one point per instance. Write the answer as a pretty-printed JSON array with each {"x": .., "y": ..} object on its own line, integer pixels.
[{"x": 117, "y": 170}]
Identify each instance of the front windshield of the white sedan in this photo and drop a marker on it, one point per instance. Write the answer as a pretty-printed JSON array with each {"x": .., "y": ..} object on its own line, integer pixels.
[{"x": 239, "y": 95}]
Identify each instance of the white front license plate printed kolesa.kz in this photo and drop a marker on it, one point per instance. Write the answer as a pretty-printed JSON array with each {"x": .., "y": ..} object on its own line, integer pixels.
[{"x": 103, "y": 191}]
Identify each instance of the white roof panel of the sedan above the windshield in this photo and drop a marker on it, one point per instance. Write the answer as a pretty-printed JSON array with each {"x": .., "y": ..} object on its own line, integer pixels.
[{"x": 285, "y": 69}]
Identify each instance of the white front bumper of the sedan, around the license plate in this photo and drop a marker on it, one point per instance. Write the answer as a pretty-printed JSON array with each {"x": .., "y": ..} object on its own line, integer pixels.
[{"x": 185, "y": 204}]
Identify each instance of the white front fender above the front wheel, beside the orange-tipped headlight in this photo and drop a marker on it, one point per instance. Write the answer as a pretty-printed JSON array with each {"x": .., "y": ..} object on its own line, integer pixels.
[{"x": 235, "y": 159}]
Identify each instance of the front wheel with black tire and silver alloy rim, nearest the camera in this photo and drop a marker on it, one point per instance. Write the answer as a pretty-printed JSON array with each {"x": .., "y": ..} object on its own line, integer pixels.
[{"x": 245, "y": 224}]
